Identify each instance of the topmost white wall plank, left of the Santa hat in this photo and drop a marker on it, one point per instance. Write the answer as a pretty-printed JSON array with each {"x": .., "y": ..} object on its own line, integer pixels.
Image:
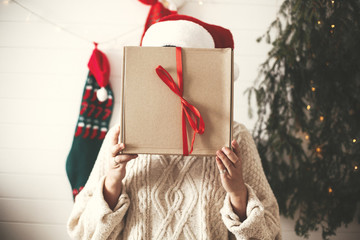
[{"x": 68, "y": 11}]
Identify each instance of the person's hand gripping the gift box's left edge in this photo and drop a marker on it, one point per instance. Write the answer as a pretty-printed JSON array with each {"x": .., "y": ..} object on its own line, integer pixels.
[{"x": 117, "y": 168}]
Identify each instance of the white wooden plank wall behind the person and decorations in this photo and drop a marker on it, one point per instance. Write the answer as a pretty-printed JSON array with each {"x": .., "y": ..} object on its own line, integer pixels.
[{"x": 43, "y": 69}]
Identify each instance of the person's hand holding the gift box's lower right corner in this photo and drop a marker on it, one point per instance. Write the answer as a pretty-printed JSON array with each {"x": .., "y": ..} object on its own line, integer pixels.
[{"x": 230, "y": 166}]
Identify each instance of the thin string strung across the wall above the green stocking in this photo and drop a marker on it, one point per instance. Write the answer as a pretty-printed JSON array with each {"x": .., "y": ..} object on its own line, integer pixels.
[{"x": 71, "y": 32}]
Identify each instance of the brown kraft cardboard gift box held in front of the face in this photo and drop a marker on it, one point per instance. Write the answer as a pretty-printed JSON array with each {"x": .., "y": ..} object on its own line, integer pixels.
[{"x": 152, "y": 113}]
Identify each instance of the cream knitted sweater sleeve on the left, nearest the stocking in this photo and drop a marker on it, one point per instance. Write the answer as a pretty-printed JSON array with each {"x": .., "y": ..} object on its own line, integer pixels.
[{"x": 91, "y": 217}]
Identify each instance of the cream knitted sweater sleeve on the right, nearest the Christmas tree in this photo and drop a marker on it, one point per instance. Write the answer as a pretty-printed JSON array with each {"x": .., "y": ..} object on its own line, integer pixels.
[{"x": 262, "y": 211}]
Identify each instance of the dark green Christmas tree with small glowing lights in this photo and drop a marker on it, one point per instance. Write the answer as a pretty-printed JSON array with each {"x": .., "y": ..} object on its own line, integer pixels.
[{"x": 308, "y": 101}]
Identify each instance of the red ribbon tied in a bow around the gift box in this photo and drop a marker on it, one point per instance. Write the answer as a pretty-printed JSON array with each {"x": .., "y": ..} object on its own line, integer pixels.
[{"x": 189, "y": 111}]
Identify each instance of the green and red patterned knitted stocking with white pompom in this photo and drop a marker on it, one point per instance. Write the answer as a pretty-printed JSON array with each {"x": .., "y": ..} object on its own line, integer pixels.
[{"x": 93, "y": 122}]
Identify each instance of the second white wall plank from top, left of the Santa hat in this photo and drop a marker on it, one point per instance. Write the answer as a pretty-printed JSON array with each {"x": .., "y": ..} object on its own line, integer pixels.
[{"x": 45, "y": 35}]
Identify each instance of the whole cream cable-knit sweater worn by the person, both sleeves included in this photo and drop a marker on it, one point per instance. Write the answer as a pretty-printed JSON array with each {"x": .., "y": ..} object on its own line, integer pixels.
[{"x": 175, "y": 197}]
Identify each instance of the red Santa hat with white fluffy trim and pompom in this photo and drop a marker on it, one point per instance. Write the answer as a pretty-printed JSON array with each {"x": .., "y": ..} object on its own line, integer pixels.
[{"x": 185, "y": 31}]
